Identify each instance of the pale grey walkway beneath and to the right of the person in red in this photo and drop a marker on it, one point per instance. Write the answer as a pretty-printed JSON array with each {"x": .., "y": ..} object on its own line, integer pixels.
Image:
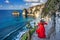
[{"x": 54, "y": 35}]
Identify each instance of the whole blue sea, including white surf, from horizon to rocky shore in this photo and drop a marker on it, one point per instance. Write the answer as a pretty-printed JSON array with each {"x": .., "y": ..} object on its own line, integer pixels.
[{"x": 12, "y": 27}]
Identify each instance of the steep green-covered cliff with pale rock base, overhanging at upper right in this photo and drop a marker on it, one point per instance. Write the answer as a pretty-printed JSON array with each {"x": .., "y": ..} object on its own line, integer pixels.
[{"x": 50, "y": 9}]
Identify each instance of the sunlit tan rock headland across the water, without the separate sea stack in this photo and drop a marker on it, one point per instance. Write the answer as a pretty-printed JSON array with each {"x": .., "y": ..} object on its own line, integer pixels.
[{"x": 36, "y": 10}]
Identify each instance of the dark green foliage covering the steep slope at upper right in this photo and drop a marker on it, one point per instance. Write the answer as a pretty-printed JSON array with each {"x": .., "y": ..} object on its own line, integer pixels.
[{"x": 50, "y": 6}]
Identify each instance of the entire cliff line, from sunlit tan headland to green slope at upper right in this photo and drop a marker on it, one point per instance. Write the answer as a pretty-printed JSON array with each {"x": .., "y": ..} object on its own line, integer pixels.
[{"x": 44, "y": 10}]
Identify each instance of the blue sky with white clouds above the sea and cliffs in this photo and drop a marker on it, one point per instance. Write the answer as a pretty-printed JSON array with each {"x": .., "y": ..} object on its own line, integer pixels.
[{"x": 19, "y": 4}]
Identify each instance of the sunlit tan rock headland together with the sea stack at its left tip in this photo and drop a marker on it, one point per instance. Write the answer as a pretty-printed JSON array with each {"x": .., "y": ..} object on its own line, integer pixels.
[{"x": 34, "y": 11}]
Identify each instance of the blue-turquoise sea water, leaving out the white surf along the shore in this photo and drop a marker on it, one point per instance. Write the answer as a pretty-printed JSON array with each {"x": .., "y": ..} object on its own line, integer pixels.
[{"x": 9, "y": 23}]
